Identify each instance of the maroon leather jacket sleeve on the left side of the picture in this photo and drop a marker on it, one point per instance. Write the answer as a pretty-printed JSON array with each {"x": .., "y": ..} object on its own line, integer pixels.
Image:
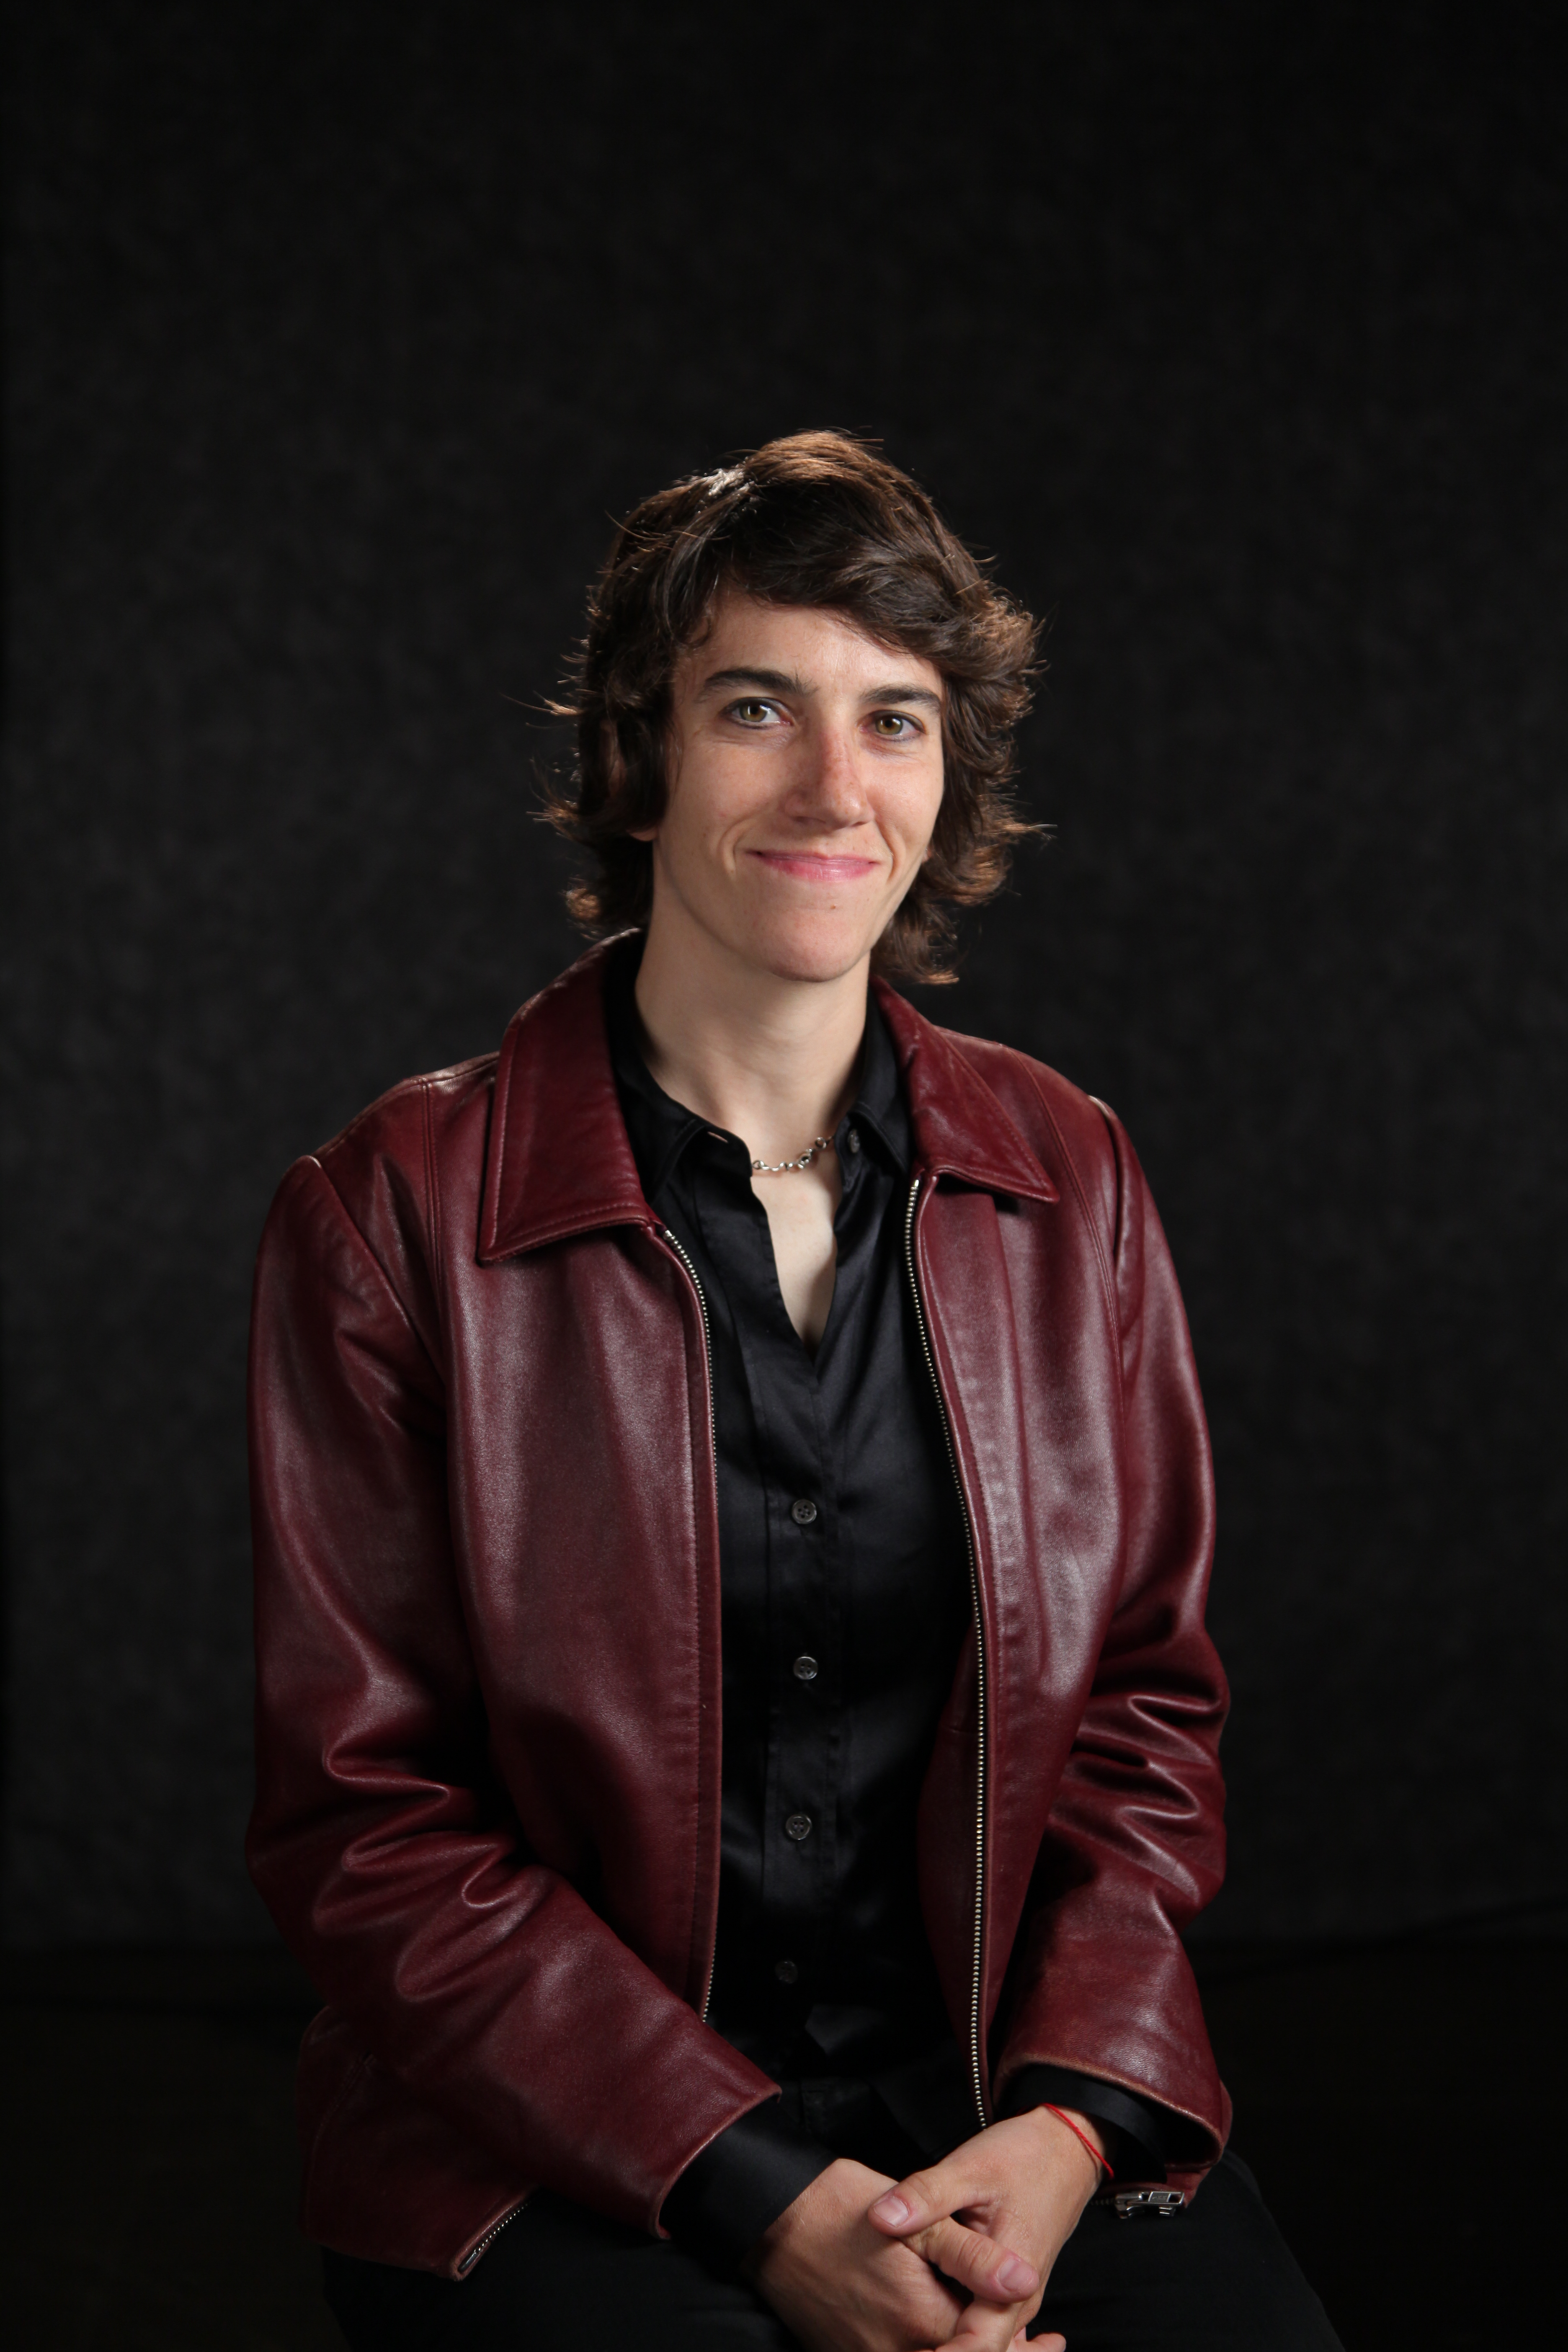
[{"x": 382, "y": 1840}]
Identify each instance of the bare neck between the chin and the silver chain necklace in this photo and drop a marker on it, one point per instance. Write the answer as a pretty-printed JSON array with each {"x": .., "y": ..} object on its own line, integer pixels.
[{"x": 765, "y": 1057}]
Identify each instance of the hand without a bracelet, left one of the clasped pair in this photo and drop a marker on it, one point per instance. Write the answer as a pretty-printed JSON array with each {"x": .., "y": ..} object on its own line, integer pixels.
[{"x": 847, "y": 2287}]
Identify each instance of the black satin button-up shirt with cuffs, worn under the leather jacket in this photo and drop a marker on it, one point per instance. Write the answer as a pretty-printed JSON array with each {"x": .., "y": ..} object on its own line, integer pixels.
[{"x": 845, "y": 1601}]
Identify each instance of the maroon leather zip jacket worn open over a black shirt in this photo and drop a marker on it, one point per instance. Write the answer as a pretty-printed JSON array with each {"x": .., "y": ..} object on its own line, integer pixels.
[{"x": 488, "y": 1622}]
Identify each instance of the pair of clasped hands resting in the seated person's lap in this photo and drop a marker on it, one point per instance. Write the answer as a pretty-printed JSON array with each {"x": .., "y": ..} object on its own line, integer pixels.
[{"x": 953, "y": 2259}]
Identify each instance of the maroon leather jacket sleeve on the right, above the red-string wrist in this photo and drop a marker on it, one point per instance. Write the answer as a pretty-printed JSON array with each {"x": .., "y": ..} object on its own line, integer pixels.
[{"x": 1134, "y": 1845}]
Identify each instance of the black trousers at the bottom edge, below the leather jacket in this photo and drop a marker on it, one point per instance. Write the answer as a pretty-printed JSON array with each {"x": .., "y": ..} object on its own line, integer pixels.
[{"x": 1217, "y": 2278}]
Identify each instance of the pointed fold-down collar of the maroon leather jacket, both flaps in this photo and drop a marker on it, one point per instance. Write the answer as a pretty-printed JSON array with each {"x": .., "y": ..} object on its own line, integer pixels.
[{"x": 558, "y": 1158}]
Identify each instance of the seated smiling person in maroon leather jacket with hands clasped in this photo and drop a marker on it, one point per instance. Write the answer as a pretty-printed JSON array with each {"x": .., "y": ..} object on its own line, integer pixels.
[{"x": 737, "y": 1730}]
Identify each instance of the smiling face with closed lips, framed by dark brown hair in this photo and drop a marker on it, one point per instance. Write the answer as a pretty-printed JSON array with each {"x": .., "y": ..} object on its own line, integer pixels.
[{"x": 805, "y": 782}]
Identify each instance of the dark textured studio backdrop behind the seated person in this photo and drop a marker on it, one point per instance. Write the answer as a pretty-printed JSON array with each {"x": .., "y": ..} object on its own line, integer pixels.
[{"x": 1238, "y": 335}]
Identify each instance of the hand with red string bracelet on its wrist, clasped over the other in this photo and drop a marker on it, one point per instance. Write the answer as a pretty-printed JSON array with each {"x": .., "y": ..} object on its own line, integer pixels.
[{"x": 1014, "y": 2186}]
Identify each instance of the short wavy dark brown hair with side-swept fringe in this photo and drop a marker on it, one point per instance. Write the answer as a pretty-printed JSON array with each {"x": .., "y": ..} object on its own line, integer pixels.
[{"x": 819, "y": 521}]
